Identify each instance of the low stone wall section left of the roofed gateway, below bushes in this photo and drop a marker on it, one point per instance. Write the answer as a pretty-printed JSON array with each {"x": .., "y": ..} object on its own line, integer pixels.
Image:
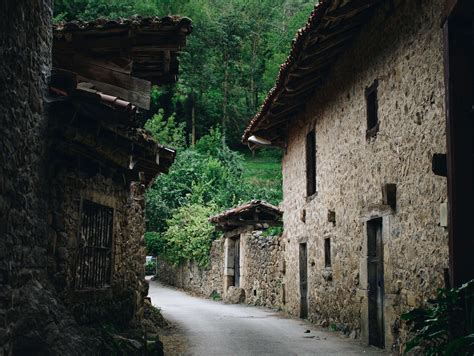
[{"x": 199, "y": 280}]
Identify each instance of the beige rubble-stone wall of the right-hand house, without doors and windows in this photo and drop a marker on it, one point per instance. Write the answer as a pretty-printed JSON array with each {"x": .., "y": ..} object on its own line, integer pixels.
[{"x": 401, "y": 47}]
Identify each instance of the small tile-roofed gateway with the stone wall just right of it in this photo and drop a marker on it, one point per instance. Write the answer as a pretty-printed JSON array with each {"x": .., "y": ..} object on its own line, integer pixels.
[{"x": 247, "y": 273}]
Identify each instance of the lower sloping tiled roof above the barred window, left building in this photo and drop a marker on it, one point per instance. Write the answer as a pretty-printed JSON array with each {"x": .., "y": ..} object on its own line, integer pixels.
[{"x": 99, "y": 127}]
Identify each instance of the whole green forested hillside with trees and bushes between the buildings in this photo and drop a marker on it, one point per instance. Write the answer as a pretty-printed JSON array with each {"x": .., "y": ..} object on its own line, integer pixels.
[{"x": 230, "y": 62}]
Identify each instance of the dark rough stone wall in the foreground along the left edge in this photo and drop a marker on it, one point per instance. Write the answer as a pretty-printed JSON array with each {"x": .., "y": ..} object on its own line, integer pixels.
[{"x": 32, "y": 320}]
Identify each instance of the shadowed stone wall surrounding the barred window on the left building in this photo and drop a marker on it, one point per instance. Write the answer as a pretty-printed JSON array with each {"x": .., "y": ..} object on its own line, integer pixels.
[{"x": 123, "y": 300}]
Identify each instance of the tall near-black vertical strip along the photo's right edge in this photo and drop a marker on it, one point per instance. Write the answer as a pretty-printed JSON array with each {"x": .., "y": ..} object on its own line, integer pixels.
[{"x": 459, "y": 79}]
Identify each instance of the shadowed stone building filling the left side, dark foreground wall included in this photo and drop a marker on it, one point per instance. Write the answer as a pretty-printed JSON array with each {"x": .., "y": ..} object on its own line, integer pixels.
[{"x": 73, "y": 165}]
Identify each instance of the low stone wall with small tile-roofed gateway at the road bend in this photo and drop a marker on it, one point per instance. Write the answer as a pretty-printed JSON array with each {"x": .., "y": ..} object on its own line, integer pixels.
[{"x": 244, "y": 265}]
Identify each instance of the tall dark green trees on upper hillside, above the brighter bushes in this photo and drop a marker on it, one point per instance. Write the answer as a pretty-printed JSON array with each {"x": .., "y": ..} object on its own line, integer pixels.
[{"x": 231, "y": 60}]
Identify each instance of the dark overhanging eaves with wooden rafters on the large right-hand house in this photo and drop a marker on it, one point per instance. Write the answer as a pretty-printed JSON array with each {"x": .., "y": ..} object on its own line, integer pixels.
[{"x": 330, "y": 30}]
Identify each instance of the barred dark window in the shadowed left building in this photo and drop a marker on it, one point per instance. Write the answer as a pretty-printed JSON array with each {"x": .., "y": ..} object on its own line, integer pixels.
[{"x": 95, "y": 257}]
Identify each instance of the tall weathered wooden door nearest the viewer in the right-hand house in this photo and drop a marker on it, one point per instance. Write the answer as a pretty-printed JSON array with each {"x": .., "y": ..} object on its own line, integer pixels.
[{"x": 375, "y": 282}]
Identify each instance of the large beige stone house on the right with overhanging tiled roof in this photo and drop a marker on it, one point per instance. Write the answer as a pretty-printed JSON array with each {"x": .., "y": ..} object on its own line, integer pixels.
[{"x": 359, "y": 110}]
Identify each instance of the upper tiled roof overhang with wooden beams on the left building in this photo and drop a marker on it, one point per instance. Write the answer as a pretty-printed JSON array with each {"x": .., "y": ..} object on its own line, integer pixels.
[{"x": 125, "y": 57}]
